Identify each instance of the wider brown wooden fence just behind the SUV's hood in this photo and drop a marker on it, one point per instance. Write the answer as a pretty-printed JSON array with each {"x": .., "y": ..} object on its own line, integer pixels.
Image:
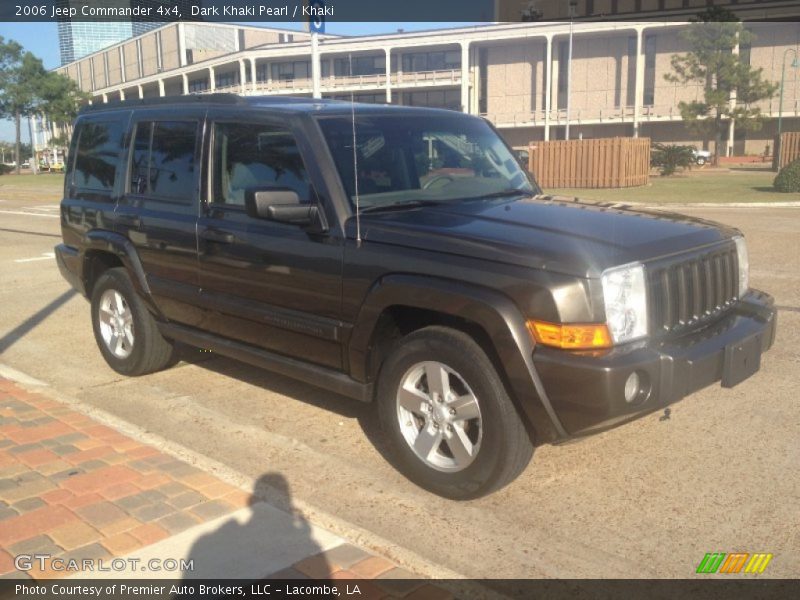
[{"x": 593, "y": 163}]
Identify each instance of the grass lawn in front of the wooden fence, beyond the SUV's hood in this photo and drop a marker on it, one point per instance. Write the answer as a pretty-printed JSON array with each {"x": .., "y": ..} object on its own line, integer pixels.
[{"x": 735, "y": 185}]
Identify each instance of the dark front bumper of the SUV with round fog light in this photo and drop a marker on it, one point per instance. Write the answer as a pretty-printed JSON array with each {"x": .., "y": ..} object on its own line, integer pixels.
[{"x": 587, "y": 390}]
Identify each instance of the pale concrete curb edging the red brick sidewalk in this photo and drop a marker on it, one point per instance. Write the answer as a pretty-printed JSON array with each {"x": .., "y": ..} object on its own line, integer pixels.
[{"x": 404, "y": 557}]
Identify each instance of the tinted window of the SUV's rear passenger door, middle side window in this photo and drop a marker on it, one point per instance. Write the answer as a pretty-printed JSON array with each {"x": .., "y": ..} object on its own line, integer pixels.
[{"x": 162, "y": 165}]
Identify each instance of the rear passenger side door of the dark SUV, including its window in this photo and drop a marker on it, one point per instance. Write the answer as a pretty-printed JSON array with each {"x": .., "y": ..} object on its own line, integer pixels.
[{"x": 159, "y": 206}]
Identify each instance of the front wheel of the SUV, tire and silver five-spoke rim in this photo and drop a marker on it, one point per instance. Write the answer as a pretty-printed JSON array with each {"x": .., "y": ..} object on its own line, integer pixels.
[{"x": 451, "y": 425}]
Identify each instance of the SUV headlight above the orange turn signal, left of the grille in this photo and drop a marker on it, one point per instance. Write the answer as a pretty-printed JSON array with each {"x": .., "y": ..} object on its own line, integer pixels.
[{"x": 625, "y": 296}]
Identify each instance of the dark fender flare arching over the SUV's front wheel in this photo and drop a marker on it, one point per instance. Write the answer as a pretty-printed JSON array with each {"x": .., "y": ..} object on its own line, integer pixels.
[{"x": 494, "y": 312}]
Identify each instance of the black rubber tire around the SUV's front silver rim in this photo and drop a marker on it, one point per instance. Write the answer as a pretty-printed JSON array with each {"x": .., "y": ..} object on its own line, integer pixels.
[{"x": 504, "y": 448}]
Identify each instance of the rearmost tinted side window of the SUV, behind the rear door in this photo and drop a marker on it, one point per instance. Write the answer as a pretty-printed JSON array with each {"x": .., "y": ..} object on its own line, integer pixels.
[{"x": 97, "y": 156}]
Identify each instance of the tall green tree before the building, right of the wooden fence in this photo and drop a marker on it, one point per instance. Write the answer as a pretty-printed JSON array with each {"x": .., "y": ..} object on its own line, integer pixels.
[{"x": 712, "y": 62}]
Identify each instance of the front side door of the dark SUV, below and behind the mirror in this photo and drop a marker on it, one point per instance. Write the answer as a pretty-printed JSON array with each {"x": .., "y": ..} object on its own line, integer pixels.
[{"x": 272, "y": 285}]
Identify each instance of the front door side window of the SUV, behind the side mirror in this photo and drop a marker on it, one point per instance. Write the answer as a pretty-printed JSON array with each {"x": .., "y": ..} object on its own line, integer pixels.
[{"x": 248, "y": 155}]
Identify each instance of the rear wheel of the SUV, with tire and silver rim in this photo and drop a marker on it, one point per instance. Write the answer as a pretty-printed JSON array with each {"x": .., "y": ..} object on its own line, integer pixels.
[{"x": 125, "y": 331}]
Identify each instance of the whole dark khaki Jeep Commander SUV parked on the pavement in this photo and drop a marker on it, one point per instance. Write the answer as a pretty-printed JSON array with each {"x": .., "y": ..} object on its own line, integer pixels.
[{"x": 401, "y": 256}]
